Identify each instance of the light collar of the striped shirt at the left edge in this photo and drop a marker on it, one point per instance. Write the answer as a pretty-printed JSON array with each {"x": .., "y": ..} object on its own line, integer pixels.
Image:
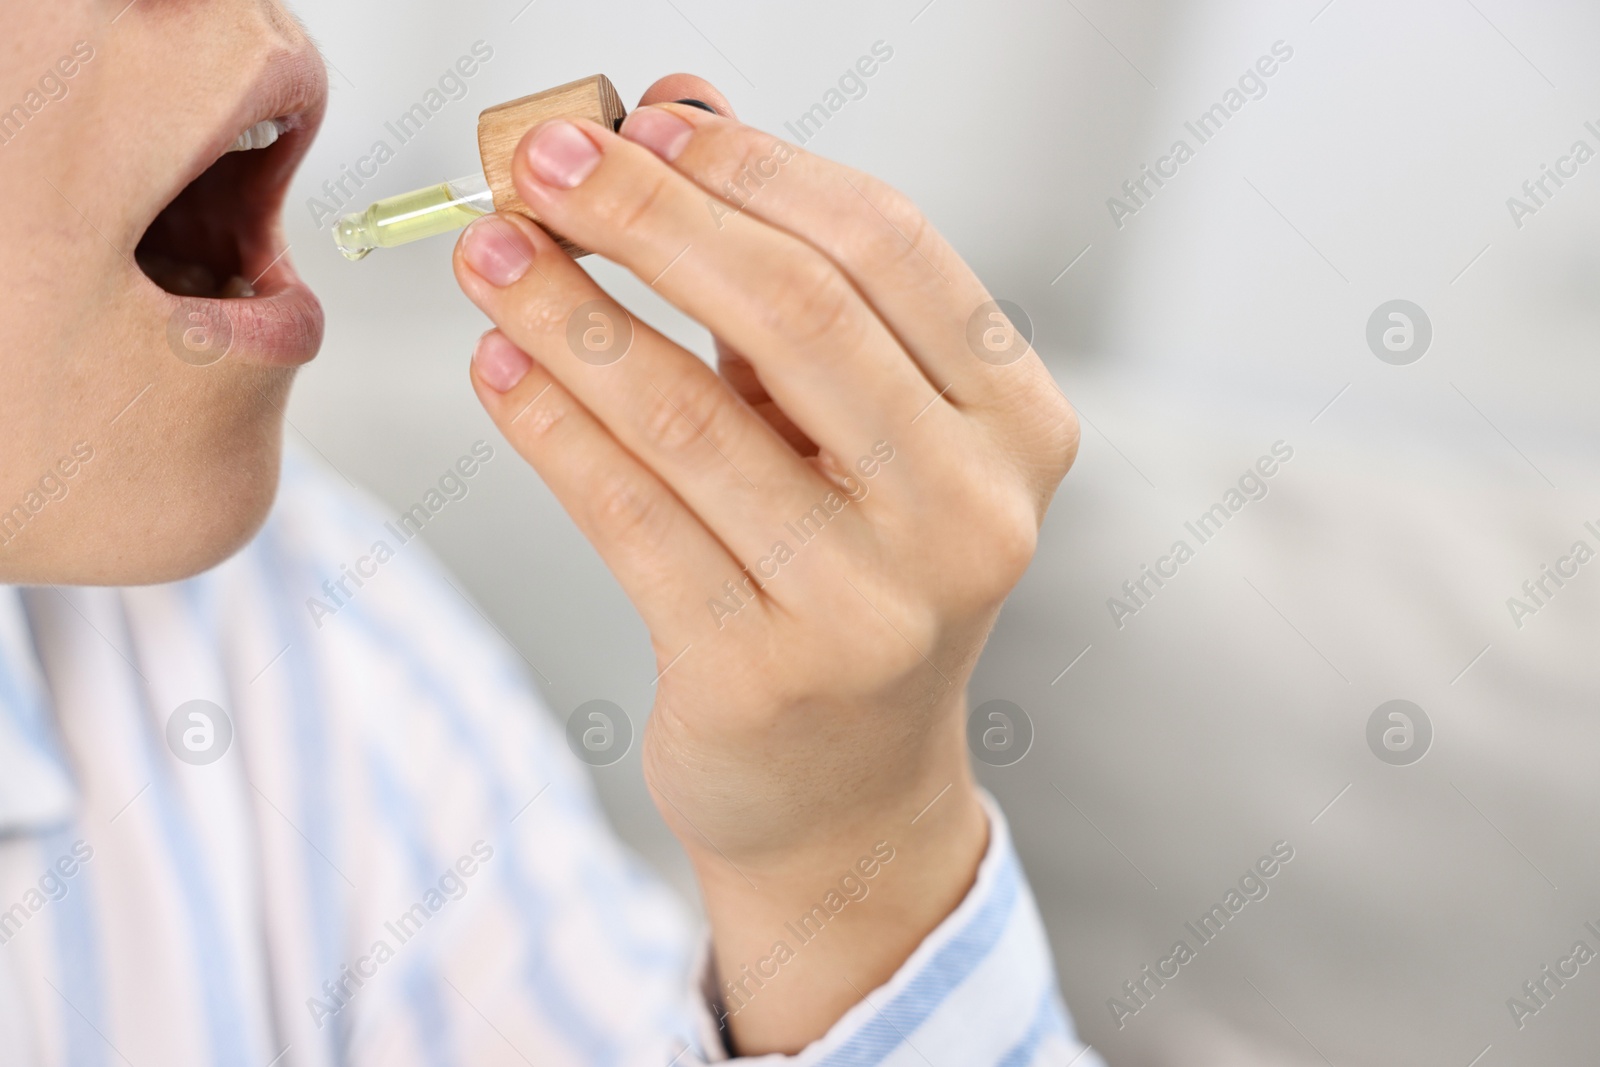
[{"x": 36, "y": 786}]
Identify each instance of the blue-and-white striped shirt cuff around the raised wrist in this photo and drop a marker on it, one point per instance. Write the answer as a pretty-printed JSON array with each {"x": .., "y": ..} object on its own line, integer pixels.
[{"x": 980, "y": 989}]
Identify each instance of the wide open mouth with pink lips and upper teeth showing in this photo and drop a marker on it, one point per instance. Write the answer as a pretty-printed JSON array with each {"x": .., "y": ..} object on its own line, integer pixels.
[{"x": 217, "y": 250}]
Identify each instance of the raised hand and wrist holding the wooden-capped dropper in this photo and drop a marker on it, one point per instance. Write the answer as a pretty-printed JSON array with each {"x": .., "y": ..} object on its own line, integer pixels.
[{"x": 818, "y": 540}]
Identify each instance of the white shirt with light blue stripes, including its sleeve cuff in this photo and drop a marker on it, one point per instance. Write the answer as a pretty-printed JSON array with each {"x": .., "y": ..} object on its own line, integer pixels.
[{"x": 369, "y": 844}]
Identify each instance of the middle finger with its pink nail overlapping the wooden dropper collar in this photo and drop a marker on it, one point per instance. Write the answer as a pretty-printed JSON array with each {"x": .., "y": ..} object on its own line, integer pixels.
[{"x": 818, "y": 346}]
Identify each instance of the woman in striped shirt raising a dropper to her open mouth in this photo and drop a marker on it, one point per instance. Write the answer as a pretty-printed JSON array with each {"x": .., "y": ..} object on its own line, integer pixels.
[{"x": 244, "y": 833}]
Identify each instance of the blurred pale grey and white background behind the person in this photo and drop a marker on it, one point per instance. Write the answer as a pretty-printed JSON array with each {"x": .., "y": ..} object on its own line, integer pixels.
[{"x": 1228, "y": 314}]
